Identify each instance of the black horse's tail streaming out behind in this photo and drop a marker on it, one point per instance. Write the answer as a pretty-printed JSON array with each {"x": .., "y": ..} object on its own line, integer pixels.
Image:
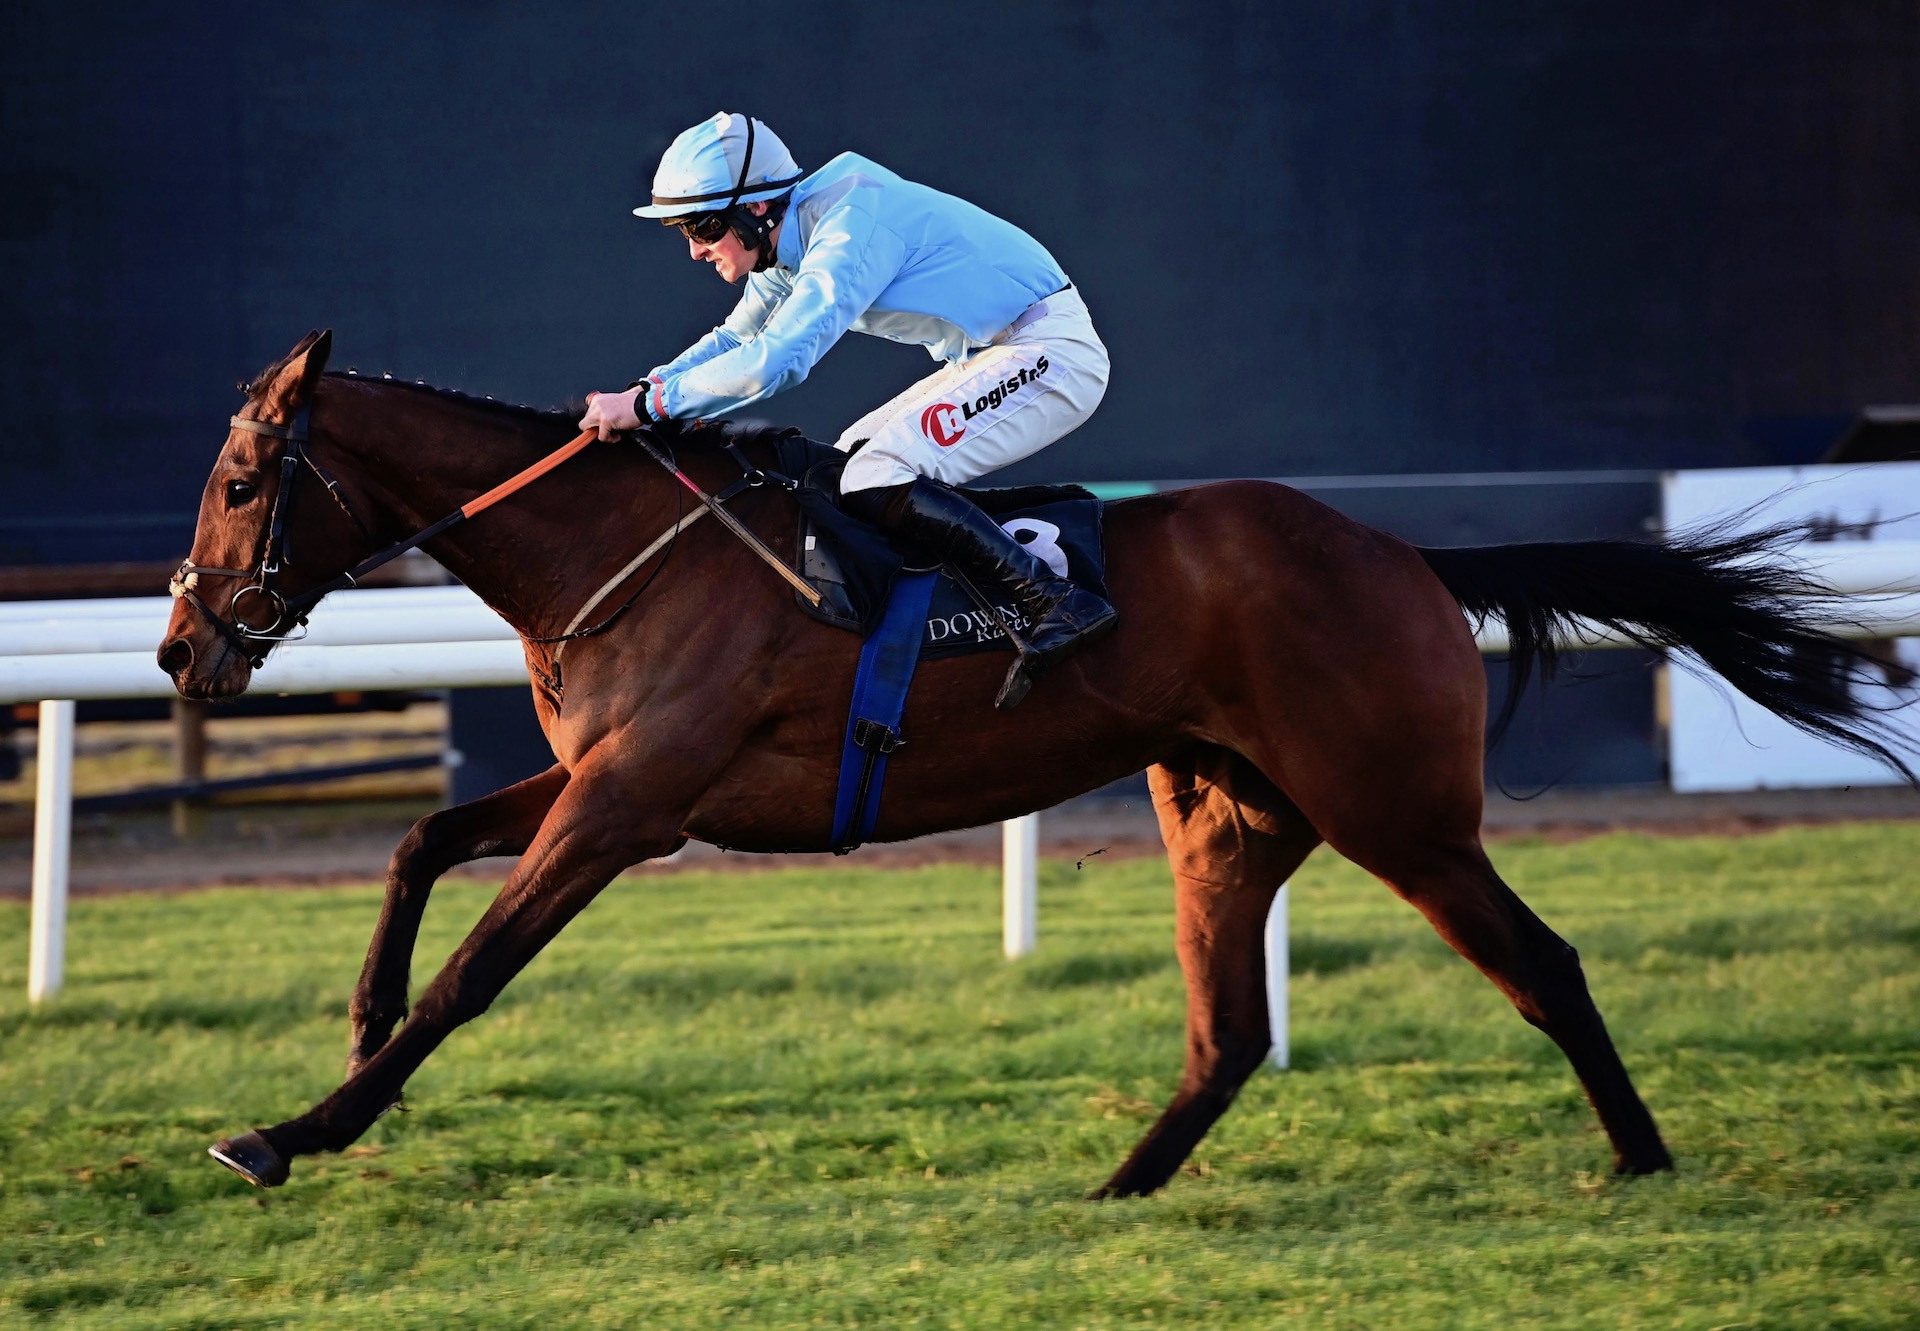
[{"x": 1714, "y": 594}]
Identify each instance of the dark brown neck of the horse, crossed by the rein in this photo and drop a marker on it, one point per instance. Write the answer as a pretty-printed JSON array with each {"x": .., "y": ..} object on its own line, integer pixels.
[{"x": 420, "y": 460}]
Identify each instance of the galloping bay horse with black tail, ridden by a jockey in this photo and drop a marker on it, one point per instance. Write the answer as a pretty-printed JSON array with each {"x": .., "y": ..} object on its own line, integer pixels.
[{"x": 1285, "y": 677}]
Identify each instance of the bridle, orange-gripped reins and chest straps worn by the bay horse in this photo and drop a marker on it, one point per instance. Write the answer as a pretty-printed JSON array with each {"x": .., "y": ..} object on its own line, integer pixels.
[{"x": 289, "y": 616}]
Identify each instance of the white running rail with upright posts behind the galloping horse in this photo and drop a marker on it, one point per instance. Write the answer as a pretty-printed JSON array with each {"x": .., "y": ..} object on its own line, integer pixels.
[{"x": 412, "y": 639}]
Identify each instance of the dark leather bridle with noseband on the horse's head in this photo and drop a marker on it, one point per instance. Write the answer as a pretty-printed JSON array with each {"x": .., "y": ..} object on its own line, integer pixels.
[{"x": 289, "y": 616}]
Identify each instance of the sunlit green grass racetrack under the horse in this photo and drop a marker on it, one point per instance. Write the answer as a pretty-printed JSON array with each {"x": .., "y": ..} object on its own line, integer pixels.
[{"x": 823, "y": 1100}]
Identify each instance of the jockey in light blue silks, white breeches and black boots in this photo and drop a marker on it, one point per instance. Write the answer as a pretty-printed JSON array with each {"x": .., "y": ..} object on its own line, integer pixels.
[{"x": 857, "y": 247}]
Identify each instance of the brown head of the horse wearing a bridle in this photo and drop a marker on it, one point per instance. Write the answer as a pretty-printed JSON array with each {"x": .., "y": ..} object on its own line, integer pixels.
[{"x": 235, "y": 591}]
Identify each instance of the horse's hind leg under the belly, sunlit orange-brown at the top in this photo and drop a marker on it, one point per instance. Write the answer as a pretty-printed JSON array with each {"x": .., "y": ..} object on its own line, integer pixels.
[{"x": 1232, "y": 840}]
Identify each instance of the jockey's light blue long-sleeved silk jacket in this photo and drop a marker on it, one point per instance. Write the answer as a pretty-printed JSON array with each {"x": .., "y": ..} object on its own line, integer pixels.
[{"x": 863, "y": 249}]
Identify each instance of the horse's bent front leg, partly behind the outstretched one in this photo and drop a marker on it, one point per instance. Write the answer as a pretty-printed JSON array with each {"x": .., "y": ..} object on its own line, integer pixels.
[{"x": 502, "y": 823}]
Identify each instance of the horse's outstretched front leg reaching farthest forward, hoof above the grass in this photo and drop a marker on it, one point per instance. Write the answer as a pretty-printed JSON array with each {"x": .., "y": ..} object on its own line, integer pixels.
[{"x": 594, "y": 831}]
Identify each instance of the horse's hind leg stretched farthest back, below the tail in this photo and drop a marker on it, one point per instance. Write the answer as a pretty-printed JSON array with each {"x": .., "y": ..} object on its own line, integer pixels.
[{"x": 1468, "y": 904}]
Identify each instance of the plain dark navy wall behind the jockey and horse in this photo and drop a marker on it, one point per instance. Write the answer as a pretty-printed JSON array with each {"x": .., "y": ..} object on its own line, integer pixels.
[{"x": 1320, "y": 239}]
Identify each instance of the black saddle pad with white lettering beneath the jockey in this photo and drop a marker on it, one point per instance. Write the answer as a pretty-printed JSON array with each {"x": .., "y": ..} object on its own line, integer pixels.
[{"x": 853, "y": 566}]
